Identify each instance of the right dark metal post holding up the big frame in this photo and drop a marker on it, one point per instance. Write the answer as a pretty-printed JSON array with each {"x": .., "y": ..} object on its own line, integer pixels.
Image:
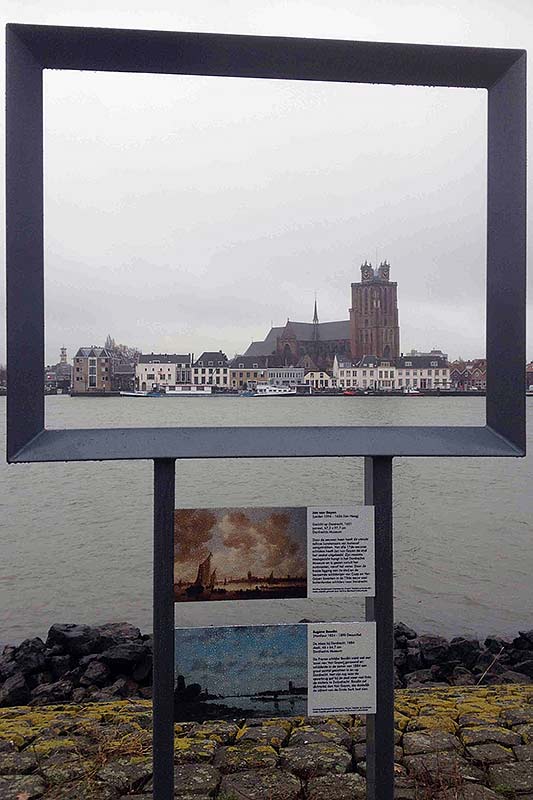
[{"x": 380, "y": 609}]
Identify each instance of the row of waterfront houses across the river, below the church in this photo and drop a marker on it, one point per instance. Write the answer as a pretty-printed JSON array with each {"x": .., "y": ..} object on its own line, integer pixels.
[{"x": 100, "y": 369}]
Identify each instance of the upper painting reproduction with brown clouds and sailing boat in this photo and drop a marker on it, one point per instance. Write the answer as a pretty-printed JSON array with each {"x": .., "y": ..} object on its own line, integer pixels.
[{"x": 239, "y": 553}]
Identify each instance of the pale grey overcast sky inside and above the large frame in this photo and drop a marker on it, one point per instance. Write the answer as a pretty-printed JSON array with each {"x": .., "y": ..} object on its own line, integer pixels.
[{"x": 188, "y": 213}]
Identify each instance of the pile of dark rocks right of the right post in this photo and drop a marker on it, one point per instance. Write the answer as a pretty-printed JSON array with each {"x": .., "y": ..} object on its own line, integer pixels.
[{"x": 435, "y": 661}]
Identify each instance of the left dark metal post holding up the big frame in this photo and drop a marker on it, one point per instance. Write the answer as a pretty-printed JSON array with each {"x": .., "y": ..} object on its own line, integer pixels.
[{"x": 163, "y": 611}]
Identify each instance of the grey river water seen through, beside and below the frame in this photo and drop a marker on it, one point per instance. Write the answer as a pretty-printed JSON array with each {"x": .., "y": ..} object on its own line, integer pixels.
[{"x": 76, "y": 539}]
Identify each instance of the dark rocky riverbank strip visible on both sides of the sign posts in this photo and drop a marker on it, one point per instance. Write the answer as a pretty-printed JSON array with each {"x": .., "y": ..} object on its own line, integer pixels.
[{"x": 80, "y": 663}]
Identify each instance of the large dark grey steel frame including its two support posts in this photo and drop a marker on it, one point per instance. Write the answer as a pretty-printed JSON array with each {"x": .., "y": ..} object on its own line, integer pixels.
[{"x": 33, "y": 48}]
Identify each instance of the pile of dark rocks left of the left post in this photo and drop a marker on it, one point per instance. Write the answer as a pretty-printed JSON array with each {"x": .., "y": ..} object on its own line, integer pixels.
[{"x": 77, "y": 663}]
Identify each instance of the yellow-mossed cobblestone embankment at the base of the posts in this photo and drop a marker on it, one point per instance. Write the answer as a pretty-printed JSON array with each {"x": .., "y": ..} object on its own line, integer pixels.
[{"x": 451, "y": 743}]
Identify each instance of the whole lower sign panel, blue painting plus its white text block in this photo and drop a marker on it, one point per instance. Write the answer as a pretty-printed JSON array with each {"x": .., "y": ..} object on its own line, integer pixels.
[{"x": 255, "y": 671}]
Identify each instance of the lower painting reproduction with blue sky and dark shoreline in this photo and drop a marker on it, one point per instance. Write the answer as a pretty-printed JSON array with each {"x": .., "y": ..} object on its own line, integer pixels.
[{"x": 240, "y": 672}]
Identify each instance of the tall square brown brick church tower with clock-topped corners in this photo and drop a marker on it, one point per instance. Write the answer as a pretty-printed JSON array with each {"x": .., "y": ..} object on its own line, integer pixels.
[{"x": 374, "y": 326}]
